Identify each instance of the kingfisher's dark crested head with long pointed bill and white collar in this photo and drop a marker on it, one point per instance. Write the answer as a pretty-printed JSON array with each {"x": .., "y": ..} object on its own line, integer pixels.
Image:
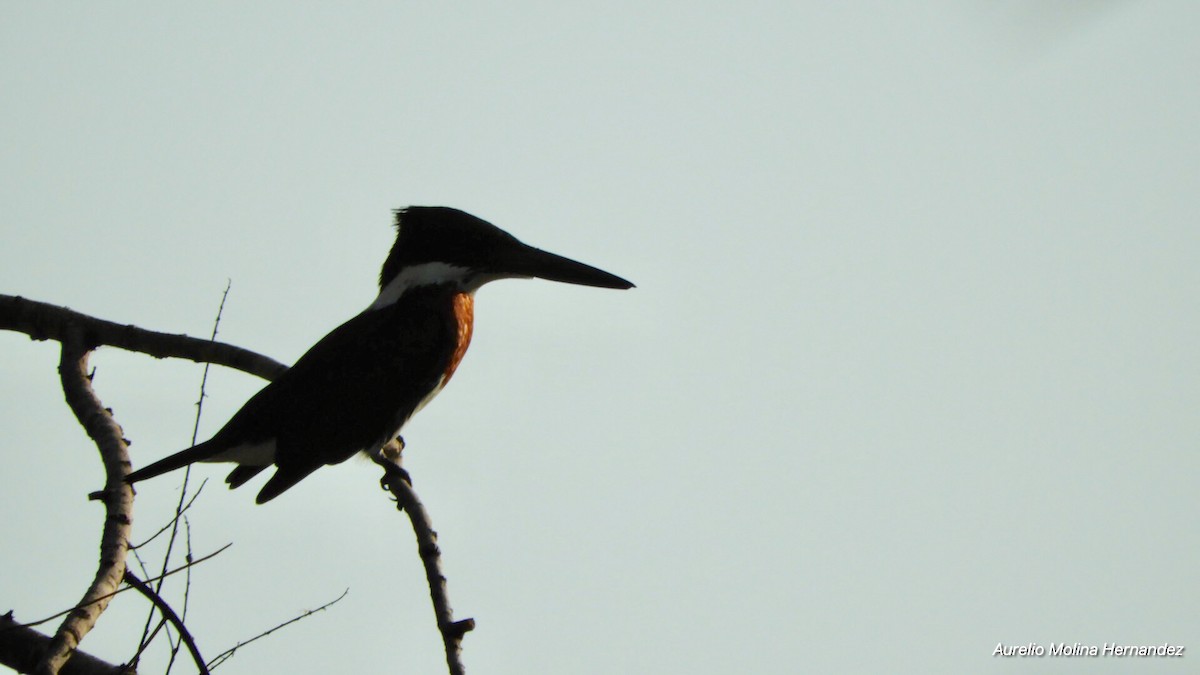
[{"x": 445, "y": 246}]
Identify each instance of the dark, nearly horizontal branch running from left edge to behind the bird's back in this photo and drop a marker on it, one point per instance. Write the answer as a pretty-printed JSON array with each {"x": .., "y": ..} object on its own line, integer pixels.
[{"x": 43, "y": 321}]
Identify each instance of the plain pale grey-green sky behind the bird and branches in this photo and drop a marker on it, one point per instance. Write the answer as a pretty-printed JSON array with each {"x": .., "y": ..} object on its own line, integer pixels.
[{"x": 911, "y": 368}]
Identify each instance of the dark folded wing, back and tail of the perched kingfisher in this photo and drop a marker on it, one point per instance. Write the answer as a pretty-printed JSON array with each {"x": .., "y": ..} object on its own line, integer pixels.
[{"x": 350, "y": 392}]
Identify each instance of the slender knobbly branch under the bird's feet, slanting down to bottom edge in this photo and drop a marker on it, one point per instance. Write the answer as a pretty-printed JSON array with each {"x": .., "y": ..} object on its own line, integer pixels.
[{"x": 397, "y": 482}]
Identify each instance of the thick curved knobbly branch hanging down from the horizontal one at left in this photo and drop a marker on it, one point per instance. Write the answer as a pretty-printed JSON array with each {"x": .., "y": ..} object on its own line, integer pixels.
[{"x": 118, "y": 501}]
